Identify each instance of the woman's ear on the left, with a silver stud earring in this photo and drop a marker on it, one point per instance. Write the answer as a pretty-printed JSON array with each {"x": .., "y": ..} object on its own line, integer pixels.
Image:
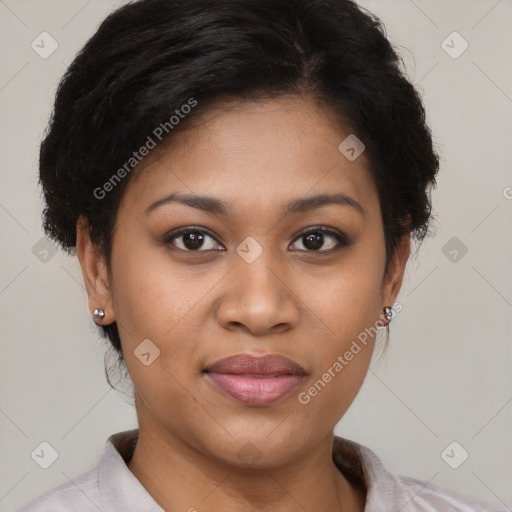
[{"x": 94, "y": 270}]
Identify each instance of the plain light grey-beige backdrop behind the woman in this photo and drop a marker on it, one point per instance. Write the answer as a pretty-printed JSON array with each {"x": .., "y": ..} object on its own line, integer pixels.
[{"x": 447, "y": 375}]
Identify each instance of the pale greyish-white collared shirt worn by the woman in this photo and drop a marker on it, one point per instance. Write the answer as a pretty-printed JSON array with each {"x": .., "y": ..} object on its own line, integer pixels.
[{"x": 111, "y": 487}]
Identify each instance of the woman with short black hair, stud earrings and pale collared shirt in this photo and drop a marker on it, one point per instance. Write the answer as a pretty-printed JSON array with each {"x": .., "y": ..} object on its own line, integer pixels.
[{"x": 241, "y": 180}]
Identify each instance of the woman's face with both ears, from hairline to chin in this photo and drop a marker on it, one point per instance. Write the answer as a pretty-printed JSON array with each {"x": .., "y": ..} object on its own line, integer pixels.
[{"x": 257, "y": 269}]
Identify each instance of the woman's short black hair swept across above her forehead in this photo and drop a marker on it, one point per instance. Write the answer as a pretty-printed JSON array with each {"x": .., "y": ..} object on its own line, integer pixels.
[{"x": 149, "y": 58}]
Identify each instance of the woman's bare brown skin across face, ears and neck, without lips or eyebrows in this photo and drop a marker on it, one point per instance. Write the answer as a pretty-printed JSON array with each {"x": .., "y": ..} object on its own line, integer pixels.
[{"x": 198, "y": 307}]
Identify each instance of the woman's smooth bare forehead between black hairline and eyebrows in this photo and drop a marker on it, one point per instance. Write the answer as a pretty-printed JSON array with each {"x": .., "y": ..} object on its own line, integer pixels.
[{"x": 257, "y": 150}]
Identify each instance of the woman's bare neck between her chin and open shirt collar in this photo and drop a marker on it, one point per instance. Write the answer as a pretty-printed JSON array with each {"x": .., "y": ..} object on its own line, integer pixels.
[{"x": 180, "y": 477}]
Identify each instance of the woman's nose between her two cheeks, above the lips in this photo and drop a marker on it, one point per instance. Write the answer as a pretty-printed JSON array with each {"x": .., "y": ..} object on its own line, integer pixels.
[{"x": 258, "y": 298}]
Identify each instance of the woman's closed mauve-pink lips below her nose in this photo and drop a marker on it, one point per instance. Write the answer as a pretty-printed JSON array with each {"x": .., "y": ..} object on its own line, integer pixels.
[{"x": 255, "y": 380}]
